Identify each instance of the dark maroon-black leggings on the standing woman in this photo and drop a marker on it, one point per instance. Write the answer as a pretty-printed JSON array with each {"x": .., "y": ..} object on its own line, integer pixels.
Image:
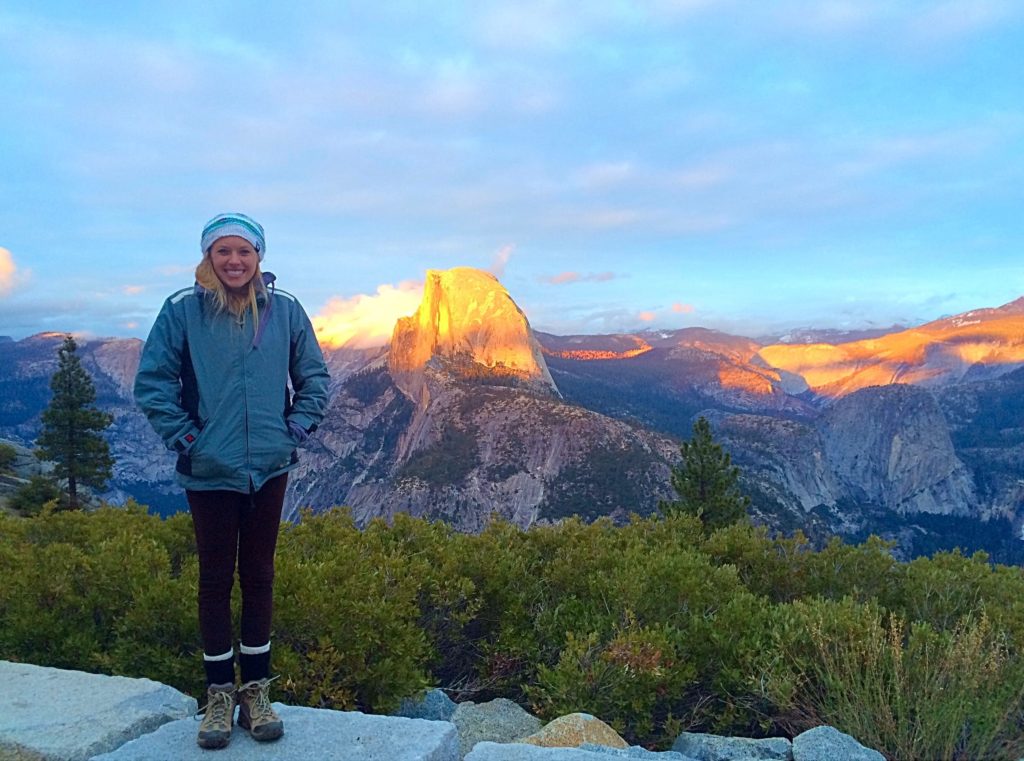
[{"x": 230, "y": 526}]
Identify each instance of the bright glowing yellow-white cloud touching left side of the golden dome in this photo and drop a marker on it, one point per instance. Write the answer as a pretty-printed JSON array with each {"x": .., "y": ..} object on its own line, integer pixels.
[{"x": 364, "y": 321}]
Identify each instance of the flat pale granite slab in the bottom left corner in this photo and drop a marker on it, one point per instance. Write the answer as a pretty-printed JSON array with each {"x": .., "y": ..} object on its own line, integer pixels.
[{"x": 51, "y": 714}]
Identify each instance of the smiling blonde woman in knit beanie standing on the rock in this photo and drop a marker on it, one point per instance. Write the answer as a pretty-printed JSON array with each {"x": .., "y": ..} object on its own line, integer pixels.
[{"x": 214, "y": 382}]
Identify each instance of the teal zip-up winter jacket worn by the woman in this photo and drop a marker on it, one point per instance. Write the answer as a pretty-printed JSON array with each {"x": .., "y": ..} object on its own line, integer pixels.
[{"x": 218, "y": 394}]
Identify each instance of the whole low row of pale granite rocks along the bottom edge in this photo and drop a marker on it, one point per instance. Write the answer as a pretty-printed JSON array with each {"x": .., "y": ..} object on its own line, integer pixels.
[{"x": 56, "y": 715}]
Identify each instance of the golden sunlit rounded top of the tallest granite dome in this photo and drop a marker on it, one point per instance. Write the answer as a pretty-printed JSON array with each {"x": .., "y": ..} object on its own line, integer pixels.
[{"x": 466, "y": 323}]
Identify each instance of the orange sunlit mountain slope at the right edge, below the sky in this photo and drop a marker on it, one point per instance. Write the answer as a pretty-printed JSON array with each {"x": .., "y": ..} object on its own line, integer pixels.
[{"x": 937, "y": 352}]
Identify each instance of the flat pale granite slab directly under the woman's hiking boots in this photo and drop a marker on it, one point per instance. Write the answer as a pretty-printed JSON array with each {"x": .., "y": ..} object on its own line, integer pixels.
[{"x": 310, "y": 734}]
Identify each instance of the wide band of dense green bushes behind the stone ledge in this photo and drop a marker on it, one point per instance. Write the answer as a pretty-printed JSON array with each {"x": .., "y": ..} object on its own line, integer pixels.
[{"x": 654, "y": 626}]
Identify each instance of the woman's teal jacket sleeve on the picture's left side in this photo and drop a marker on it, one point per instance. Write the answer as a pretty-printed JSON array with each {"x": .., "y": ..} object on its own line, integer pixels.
[{"x": 158, "y": 384}]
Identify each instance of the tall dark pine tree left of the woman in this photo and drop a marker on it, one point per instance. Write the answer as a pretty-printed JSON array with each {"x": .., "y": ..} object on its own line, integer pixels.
[{"x": 71, "y": 428}]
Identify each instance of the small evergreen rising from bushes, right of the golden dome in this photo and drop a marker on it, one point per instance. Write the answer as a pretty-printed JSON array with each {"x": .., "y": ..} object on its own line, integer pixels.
[{"x": 707, "y": 482}]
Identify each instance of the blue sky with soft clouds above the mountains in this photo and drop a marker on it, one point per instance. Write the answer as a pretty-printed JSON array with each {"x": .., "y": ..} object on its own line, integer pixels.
[{"x": 748, "y": 166}]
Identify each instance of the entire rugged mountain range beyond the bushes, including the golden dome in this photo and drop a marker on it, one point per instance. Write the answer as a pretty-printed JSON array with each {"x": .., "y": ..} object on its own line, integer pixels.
[{"x": 916, "y": 434}]
